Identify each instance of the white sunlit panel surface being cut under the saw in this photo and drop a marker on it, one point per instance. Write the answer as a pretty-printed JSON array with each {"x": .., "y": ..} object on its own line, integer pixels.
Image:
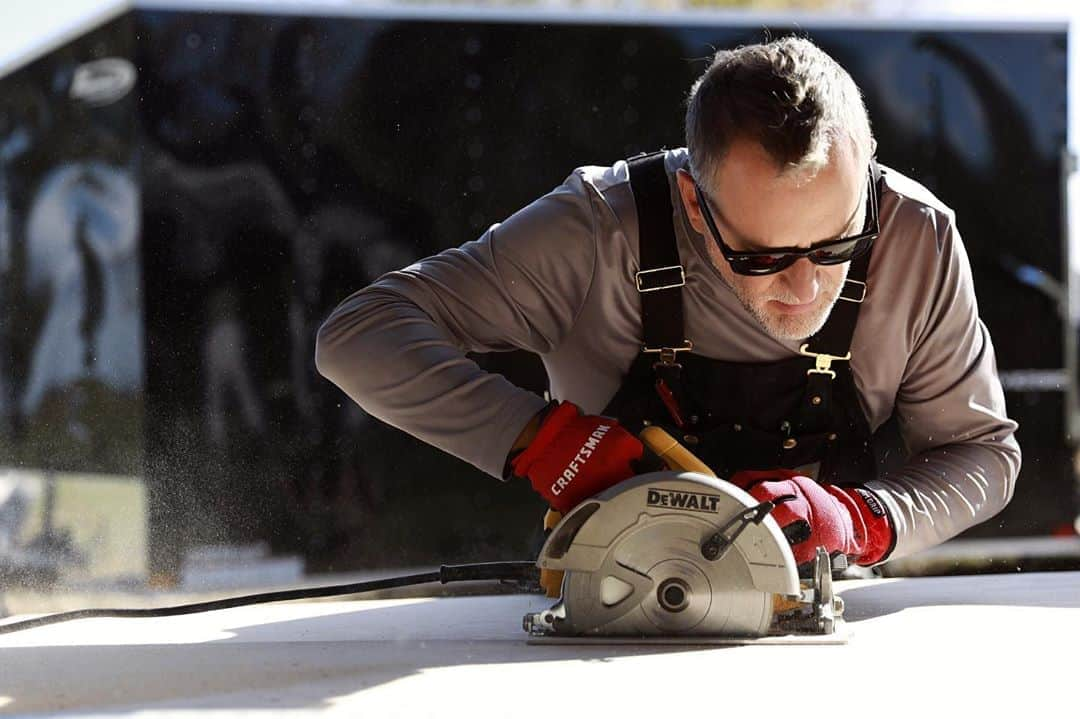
[{"x": 965, "y": 646}]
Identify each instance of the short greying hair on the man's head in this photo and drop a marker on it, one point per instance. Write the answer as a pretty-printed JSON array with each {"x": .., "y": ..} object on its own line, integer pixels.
[{"x": 788, "y": 96}]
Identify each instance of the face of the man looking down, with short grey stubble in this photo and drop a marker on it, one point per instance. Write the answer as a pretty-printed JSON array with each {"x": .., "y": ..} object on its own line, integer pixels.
[{"x": 757, "y": 209}]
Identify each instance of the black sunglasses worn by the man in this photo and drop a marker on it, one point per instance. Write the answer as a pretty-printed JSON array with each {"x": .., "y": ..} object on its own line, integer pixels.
[{"x": 834, "y": 252}]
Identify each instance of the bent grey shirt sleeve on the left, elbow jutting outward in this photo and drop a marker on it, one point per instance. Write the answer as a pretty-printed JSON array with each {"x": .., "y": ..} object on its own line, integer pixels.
[{"x": 398, "y": 348}]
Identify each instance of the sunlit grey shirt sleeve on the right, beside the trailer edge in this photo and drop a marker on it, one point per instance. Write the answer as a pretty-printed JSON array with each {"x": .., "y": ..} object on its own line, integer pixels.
[{"x": 964, "y": 459}]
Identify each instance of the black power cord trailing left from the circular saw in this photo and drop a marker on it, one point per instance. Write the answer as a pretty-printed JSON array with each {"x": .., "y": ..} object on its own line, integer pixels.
[{"x": 519, "y": 572}]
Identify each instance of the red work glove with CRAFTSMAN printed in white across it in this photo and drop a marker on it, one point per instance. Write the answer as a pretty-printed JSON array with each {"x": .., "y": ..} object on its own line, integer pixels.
[{"x": 576, "y": 456}]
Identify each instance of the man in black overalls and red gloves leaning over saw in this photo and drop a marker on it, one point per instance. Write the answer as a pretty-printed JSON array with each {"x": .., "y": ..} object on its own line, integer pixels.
[{"x": 771, "y": 295}]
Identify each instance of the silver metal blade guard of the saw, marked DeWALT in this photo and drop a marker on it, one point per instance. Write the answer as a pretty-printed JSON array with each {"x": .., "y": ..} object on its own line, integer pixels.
[{"x": 634, "y": 562}]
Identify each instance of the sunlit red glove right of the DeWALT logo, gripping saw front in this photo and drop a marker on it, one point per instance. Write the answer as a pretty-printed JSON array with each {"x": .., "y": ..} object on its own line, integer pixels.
[{"x": 848, "y": 521}]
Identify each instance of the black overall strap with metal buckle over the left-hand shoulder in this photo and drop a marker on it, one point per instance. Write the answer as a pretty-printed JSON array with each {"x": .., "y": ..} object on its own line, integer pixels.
[{"x": 661, "y": 277}]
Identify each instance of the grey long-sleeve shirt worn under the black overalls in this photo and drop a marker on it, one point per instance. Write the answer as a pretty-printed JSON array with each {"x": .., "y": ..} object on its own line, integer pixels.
[{"x": 558, "y": 279}]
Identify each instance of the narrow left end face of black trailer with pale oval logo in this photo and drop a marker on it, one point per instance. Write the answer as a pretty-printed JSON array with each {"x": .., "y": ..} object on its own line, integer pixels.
[{"x": 71, "y": 306}]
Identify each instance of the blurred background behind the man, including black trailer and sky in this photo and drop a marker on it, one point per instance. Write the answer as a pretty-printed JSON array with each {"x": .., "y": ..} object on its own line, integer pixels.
[{"x": 187, "y": 189}]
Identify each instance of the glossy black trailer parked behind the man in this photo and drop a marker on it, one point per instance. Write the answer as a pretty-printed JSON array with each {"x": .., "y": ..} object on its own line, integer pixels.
[{"x": 289, "y": 161}]
